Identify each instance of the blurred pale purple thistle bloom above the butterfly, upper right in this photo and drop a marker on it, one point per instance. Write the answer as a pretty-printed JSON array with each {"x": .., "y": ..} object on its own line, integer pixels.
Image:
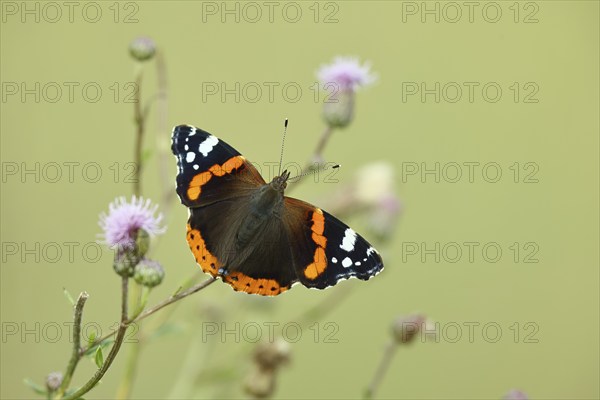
[{"x": 347, "y": 72}]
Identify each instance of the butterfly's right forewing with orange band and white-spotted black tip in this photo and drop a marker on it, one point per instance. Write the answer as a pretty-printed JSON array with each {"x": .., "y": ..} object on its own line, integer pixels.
[{"x": 324, "y": 249}]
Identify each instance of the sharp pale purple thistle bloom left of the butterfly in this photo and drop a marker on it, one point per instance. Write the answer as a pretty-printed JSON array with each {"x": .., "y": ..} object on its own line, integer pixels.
[{"x": 124, "y": 219}]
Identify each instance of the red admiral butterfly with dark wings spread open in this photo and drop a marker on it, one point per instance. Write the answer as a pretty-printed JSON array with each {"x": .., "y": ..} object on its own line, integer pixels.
[{"x": 247, "y": 232}]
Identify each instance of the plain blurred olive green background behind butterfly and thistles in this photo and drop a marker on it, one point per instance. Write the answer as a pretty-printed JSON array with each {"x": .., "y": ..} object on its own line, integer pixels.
[{"x": 558, "y": 295}]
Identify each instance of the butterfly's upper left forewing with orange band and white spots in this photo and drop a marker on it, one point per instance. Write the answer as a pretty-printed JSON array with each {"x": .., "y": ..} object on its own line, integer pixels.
[{"x": 208, "y": 169}]
